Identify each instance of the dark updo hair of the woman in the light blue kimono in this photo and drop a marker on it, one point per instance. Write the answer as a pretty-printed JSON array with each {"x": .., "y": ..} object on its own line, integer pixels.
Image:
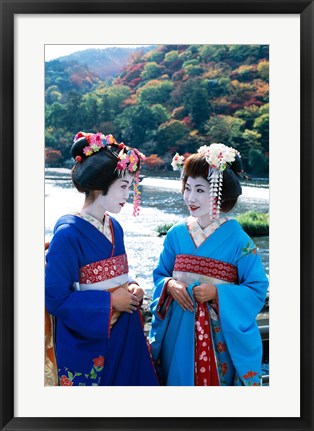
[{"x": 197, "y": 166}]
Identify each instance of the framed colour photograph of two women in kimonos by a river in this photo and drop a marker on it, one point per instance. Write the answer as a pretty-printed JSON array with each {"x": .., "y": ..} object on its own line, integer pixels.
[{"x": 208, "y": 104}]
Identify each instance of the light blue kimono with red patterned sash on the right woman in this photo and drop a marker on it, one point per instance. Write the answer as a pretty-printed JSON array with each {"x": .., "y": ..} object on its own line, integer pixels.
[{"x": 221, "y": 339}]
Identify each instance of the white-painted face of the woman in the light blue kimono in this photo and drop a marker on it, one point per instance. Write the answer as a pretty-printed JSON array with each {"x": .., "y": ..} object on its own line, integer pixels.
[{"x": 197, "y": 198}]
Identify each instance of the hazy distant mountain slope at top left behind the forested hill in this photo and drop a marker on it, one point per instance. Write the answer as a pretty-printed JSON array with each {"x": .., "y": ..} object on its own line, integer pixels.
[{"x": 105, "y": 62}]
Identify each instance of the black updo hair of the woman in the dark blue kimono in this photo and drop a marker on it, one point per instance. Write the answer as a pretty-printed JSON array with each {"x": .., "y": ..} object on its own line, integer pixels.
[{"x": 97, "y": 171}]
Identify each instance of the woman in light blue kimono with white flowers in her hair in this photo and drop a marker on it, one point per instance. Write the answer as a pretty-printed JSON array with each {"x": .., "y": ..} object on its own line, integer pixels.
[{"x": 209, "y": 283}]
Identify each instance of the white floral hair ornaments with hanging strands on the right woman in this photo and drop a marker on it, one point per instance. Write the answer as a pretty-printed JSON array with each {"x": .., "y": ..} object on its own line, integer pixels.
[{"x": 218, "y": 157}]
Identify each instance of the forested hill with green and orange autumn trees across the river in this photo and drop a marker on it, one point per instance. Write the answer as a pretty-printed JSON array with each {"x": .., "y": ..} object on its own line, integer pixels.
[{"x": 171, "y": 98}]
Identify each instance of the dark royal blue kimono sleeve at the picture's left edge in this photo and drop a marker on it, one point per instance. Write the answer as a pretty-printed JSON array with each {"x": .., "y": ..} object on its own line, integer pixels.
[{"x": 87, "y": 313}]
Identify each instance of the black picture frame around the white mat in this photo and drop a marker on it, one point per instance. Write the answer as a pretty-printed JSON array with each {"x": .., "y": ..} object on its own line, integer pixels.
[{"x": 8, "y": 10}]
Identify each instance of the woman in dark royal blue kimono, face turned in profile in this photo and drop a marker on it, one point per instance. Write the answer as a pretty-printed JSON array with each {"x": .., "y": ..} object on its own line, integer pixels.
[{"x": 98, "y": 335}]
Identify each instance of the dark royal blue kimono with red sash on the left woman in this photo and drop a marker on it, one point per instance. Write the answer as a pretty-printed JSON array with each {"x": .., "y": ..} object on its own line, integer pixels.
[{"x": 94, "y": 345}]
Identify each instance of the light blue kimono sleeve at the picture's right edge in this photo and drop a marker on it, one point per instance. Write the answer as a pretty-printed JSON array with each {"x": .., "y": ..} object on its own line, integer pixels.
[{"x": 239, "y": 305}]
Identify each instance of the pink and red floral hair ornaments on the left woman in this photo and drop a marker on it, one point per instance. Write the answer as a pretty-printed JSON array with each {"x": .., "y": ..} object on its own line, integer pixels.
[{"x": 128, "y": 159}]
